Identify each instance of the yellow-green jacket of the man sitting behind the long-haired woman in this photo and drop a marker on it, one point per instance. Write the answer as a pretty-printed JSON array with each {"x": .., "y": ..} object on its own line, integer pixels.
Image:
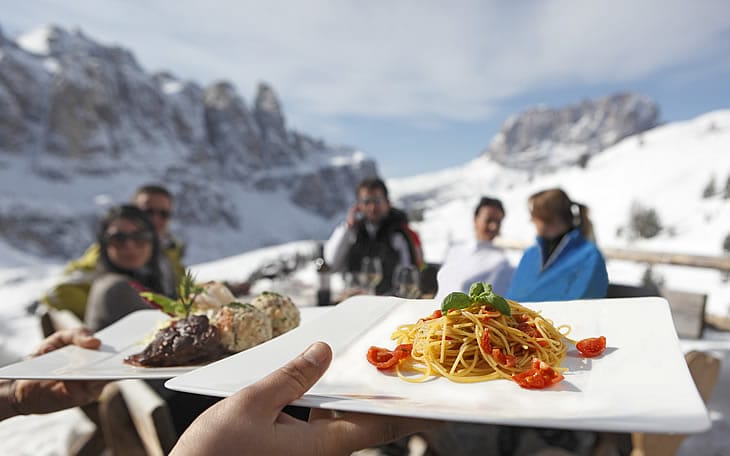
[{"x": 72, "y": 292}]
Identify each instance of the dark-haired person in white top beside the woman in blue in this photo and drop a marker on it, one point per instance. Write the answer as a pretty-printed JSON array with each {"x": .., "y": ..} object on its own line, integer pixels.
[{"x": 477, "y": 260}]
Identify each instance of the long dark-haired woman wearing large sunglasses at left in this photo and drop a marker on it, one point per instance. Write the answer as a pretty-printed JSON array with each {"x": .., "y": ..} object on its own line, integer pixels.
[{"x": 127, "y": 264}]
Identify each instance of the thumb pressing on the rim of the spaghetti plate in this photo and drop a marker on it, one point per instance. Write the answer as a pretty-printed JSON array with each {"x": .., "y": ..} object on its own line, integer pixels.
[{"x": 288, "y": 383}]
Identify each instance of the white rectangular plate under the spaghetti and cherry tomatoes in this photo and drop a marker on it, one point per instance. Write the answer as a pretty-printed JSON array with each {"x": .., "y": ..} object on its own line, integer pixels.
[{"x": 641, "y": 383}]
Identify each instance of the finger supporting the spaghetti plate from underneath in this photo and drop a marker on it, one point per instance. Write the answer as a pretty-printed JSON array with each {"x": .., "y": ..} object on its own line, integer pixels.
[{"x": 355, "y": 431}]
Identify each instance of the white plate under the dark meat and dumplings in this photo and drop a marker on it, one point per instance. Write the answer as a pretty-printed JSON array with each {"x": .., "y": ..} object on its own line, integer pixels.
[{"x": 125, "y": 337}]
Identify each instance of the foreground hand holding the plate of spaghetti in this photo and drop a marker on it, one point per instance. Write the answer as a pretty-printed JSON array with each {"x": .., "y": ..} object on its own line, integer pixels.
[{"x": 252, "y": 422}]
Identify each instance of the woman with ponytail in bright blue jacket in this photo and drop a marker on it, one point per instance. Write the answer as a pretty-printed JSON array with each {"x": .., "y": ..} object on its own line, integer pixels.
[{"x": 565, "y": 263}]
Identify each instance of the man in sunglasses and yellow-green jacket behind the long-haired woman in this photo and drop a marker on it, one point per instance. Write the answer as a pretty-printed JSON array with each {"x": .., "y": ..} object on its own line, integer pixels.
[{"x": 73, "y": 292}]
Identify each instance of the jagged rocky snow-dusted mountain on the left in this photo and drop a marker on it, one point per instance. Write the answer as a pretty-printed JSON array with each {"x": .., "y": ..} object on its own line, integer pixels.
[{"x": 82, "y": 124}]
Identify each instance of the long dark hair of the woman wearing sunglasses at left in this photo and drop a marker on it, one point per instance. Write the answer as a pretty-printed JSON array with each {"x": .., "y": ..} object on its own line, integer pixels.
[{"x": 150, "y": 276}]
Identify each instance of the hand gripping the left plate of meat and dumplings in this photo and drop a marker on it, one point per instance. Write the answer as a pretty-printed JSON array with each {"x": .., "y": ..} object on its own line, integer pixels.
[{"x": 46, "y": 396}]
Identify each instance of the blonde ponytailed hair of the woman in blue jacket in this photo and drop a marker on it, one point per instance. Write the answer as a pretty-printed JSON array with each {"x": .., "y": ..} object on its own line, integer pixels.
[{"x": 554, "y": 205}]
